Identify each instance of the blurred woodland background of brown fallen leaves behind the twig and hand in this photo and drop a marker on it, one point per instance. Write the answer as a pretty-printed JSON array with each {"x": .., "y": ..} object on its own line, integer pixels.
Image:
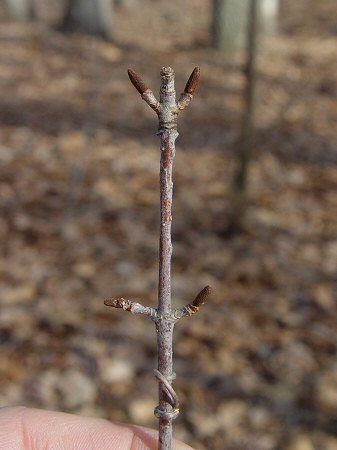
[{"x": 79, "y": 163}]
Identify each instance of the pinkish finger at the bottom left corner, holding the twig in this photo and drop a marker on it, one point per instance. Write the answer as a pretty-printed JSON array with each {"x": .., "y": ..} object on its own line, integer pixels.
[{"x": 34, "y": 429}]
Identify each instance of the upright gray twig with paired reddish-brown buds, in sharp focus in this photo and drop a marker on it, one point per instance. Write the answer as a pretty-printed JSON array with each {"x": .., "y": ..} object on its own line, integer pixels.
[{"x": 164, "y": 316}]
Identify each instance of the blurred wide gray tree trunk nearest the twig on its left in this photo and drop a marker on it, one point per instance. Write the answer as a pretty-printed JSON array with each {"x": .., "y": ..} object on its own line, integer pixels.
[{"x": 90, "y": 16}]
